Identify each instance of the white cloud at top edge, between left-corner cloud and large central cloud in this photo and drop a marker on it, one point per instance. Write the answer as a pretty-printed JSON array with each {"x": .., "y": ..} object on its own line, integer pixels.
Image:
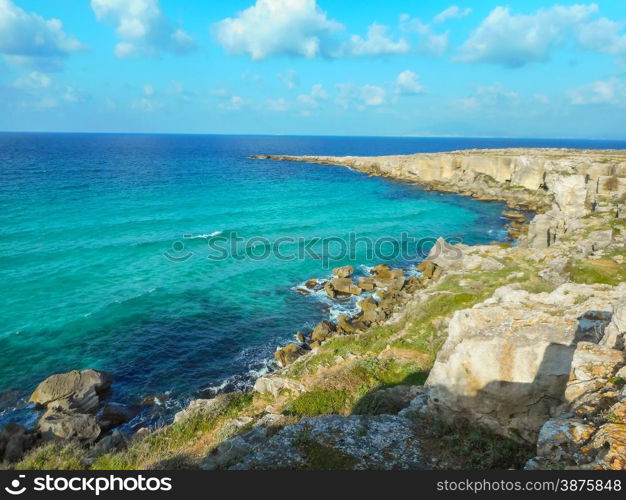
[{"x": 141, "y": 27}]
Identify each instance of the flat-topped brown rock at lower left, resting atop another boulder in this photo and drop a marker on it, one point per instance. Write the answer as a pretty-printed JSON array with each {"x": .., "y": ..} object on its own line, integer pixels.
[{"x": 78, "y": 391}]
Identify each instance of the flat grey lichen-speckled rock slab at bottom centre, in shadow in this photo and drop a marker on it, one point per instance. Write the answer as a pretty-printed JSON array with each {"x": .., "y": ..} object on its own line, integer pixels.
[{"x": 356, "y": 442}]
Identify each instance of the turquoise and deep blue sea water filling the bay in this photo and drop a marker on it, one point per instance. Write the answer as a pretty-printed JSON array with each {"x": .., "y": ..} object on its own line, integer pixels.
[{"x": 87, "y": 220}]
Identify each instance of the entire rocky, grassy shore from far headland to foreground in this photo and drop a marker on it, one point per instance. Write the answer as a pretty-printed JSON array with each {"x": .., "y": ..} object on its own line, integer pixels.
[{"x": 489, "y": 356}]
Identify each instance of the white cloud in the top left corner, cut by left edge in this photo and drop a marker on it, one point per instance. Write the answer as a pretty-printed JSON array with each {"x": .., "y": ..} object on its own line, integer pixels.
[{"x": 30, "y": 40}]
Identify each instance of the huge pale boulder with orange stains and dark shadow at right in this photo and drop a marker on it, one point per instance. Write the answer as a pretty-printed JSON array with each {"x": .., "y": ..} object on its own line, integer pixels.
[{"x": 506, "y": 362}]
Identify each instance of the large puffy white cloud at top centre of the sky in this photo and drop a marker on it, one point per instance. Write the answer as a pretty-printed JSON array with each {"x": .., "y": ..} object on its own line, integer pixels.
[{"x": 278, "y": 27}]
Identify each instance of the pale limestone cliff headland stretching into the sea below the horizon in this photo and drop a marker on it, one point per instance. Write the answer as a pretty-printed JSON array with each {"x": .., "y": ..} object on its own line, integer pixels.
[{"x": 576, "y": 180}]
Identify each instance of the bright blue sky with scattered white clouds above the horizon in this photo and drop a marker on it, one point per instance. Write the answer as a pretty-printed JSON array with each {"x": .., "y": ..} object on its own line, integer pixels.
[{"x": 528, "y": 68}]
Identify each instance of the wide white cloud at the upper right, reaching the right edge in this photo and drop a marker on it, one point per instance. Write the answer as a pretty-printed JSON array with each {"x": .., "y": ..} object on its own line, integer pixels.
[{"x": 515, "y": 39}]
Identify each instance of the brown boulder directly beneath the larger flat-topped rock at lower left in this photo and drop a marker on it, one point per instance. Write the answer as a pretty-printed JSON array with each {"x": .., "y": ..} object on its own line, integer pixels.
[{"x": 64, "y": 424}]
